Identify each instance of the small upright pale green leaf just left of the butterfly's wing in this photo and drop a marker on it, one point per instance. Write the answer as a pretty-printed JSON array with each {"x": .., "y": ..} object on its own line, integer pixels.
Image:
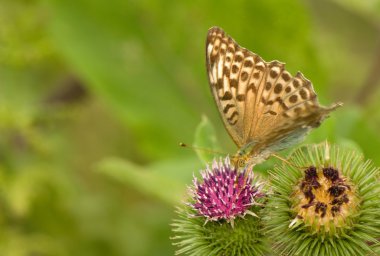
[{"x": 205, "y": 138}]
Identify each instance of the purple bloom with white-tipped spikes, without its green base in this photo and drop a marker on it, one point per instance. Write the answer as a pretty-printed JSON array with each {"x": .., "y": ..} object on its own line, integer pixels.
[{"x": 224, "y": 193}]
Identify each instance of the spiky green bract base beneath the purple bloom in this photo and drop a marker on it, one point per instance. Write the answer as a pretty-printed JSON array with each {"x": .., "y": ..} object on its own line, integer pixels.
[{"x": 193, "y": 236}]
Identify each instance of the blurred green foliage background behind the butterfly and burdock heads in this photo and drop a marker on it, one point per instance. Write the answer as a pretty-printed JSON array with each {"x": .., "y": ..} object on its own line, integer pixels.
[{"x": 96, "y": 95}]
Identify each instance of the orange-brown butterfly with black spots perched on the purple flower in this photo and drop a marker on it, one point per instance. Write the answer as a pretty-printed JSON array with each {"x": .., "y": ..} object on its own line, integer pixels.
[{"x": 263, "y": 107}]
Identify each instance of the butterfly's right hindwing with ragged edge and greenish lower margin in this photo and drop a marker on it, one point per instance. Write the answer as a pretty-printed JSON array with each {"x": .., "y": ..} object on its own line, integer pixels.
[{"x": 294, "y": 110}]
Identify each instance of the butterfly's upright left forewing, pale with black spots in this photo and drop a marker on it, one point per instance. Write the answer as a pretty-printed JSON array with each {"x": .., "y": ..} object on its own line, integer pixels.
[{"x": 228, "y": 79}]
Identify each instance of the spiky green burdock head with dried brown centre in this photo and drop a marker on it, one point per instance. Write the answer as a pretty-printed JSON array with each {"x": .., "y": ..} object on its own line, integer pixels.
[{"x": 326, "y": 202}]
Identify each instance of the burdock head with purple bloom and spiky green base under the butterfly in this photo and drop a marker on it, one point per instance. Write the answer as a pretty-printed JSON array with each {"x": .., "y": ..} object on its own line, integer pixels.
[{"x": 208, "y": 223}]
